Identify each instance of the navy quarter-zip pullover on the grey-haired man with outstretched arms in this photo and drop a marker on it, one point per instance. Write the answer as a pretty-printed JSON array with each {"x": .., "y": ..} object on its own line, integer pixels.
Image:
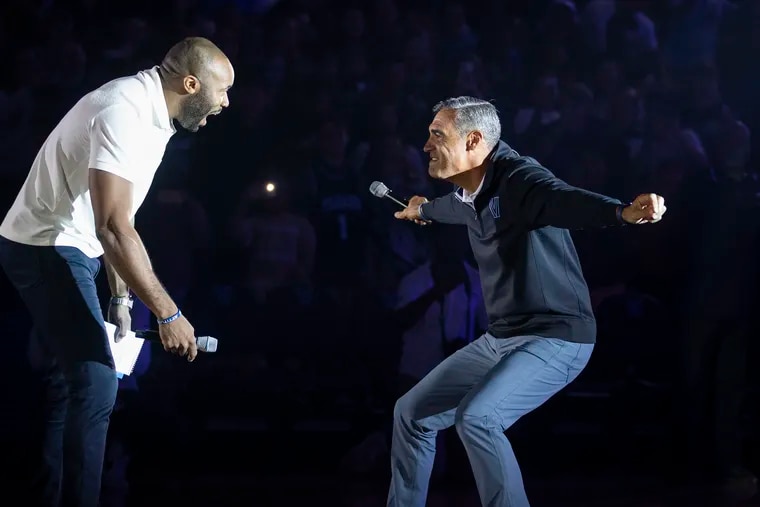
[{"x": 519, "y": 232}]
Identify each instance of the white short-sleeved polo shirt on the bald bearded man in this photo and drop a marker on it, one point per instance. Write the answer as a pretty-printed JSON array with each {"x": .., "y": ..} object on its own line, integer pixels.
[{"x": 123, "y": 128}]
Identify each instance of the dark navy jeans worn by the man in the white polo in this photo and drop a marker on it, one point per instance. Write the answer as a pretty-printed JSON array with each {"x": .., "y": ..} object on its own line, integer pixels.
[{"x": 57, "y": 285}]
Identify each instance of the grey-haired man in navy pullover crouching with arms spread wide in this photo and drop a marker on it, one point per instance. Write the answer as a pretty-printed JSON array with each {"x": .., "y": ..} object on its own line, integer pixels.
[{"x": 541, "y": 326}]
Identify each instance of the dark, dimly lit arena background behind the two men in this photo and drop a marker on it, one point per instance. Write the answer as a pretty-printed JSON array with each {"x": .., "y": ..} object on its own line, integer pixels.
[{"x": 300, "y": 288}]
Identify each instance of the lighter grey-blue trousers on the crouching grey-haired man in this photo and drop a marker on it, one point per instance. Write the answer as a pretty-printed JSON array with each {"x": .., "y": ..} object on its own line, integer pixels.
[{"x": 481, "y": 389}]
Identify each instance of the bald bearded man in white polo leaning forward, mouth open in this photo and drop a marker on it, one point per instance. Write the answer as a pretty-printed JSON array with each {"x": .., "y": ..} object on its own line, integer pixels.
[{"x": 78, "y": 204}]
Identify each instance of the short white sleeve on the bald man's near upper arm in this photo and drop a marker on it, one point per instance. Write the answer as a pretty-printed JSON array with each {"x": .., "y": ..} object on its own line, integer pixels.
[{"x": 115, "y": 139}]
